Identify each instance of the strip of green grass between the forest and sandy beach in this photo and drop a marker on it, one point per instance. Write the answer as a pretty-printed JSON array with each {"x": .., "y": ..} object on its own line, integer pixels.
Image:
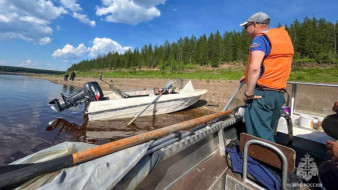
[{"x": 299, "y": 74}]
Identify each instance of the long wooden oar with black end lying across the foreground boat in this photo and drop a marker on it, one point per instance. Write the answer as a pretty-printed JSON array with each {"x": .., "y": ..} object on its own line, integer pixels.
[{"x": 24, "y": 174}]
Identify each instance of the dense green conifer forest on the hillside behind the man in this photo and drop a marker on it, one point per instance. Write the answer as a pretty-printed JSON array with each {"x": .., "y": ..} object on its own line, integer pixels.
[{"x": 315, "y": 41}]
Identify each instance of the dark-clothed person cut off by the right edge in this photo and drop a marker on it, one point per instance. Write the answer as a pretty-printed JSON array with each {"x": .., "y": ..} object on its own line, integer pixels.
[{"x": 328, "y": 170}]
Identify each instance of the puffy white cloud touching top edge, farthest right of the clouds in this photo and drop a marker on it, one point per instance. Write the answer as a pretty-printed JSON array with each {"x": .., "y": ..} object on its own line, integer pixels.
[{"x": 129, "y": 11}]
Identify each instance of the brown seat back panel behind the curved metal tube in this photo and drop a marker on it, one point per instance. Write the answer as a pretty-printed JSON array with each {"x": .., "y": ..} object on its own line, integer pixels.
[{"x": 267, "y": 155}]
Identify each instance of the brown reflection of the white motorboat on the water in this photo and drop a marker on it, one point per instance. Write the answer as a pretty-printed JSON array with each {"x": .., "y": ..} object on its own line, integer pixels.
[{"x": 101, "y": 132}]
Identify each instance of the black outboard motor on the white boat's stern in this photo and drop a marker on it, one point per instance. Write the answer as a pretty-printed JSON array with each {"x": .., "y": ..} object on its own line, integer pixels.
[{"x": 91, "y": 92}]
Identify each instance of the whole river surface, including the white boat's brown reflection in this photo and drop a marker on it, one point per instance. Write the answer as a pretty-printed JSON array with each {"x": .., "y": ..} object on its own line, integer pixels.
[{"x": 28, "y": 124}]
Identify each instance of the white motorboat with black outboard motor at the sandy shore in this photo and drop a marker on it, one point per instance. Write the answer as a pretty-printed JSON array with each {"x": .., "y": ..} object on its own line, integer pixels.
[{"x": 117, "y": 104}]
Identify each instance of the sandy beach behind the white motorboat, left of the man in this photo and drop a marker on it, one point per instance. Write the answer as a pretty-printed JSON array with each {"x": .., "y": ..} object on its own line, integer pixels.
[{"x": 219, "y": 91}]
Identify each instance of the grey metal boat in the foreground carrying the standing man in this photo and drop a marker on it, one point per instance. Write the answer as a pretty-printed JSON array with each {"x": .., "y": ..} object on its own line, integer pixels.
[{"x": 192, "y": 155}]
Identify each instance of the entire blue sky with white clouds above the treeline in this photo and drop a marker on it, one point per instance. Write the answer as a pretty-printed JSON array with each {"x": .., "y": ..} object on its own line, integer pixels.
[{"x": 54, "y": 34}]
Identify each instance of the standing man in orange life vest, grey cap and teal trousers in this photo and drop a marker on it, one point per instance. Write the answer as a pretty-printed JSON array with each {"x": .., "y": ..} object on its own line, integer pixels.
[{"x": 266, "y": 75}]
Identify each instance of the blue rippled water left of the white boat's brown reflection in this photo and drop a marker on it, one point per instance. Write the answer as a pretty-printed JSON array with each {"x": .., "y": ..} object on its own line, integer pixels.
[{"x": 25, "y": 114}]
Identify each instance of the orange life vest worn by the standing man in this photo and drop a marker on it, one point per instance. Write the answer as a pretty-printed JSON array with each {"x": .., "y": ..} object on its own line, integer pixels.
[{"x": 277, "y": 65}]
